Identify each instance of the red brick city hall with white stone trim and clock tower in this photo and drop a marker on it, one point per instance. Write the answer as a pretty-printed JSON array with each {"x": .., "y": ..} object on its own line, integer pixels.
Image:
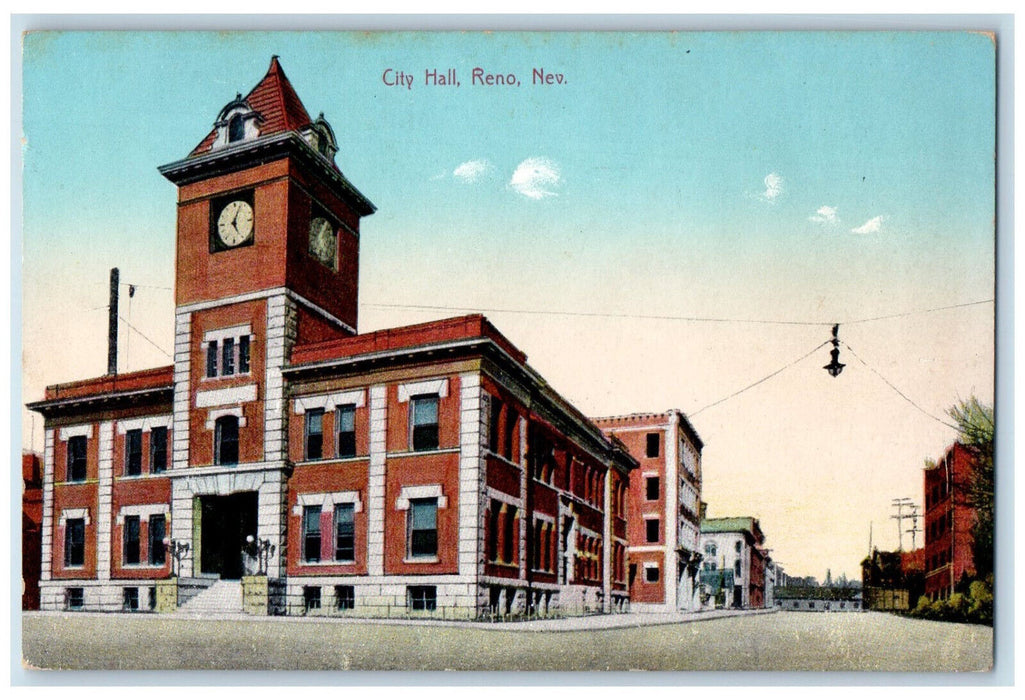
[{"x": 286, "y": 464}]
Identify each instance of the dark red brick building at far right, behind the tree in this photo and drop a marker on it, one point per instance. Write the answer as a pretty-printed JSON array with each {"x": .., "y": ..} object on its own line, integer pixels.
[{"x": 949, "y": 522}]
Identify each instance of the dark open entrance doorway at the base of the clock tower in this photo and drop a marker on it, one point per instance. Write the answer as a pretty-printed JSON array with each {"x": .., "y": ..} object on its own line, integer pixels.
[{"x": 226, "y": 522}]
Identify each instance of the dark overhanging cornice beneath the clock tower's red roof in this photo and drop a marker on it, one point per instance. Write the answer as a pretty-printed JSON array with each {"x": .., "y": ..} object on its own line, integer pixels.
[{"x": 195, "y": 169}]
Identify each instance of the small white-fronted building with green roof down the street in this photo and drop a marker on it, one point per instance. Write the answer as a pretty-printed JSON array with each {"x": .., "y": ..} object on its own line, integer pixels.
[{"x": 733, "y": 566}]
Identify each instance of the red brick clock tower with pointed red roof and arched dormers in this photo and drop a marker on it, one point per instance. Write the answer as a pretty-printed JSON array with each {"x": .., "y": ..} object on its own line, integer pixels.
[{"x": 268, "y": 257}]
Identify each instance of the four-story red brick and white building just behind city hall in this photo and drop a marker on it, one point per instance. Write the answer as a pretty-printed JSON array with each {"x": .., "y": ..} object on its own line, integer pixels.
[{"x": 664, "y": 508}]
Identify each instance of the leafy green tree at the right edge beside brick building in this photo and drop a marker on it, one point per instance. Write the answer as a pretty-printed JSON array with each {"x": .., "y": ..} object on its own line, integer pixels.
[{"x": 975, "y": 428}]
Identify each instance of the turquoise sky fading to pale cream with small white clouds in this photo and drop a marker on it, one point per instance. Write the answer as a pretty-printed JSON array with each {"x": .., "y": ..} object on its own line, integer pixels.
[{"x": 676, "y": 218}]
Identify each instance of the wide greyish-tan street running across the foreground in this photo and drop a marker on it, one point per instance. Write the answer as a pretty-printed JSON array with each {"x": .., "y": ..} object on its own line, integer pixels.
[{"x": 839, "y": 642}]
